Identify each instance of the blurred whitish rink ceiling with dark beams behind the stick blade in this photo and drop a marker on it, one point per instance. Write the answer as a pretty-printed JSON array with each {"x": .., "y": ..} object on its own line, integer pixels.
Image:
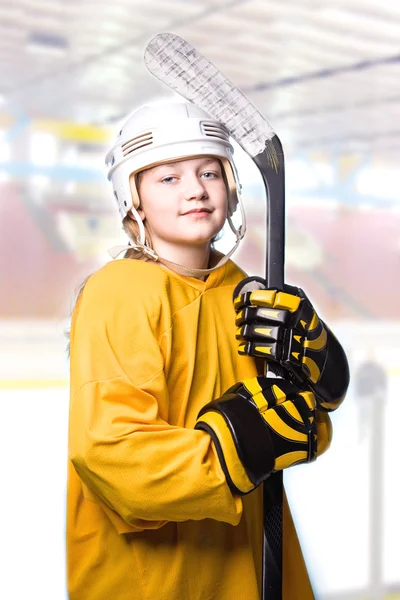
[{"x": 322, "y": 72}]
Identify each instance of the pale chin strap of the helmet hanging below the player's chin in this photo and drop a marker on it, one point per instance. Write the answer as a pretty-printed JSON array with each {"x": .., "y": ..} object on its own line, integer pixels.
[{"x": 140, "y": 246}]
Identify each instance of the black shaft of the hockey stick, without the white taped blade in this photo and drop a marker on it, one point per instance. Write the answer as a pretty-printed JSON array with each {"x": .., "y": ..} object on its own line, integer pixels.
[{"x": 274, "y": 180}]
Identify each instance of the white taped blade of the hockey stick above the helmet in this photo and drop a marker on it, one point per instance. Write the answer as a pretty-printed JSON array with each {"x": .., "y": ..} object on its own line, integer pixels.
[{"x": 179, "y": 65}]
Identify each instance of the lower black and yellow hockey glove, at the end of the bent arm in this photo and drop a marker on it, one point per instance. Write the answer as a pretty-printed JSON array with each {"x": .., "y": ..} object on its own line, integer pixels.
[{"x": 262, "y": 425}]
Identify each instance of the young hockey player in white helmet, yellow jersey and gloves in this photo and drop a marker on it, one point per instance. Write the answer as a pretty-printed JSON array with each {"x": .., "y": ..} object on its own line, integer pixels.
[{"x": 172, "y": 431}]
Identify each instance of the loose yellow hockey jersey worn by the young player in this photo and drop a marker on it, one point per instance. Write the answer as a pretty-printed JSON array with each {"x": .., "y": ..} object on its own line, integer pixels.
[{"x": 150, "y": 515}]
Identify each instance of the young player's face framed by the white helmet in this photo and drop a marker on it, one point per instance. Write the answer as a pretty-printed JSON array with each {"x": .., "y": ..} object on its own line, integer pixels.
[{"x": 184, "y": 203}]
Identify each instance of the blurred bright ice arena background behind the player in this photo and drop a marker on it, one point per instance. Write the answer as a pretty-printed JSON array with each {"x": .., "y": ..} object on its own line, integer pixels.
[{"x": 326, "y": 75}]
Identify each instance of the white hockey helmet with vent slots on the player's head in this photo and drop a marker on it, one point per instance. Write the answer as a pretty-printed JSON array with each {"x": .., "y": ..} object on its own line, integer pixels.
[{"x": 158, "y": 134}]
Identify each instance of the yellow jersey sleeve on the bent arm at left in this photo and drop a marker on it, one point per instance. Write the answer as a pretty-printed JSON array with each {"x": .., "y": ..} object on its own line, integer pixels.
[{"x": 125, "y": 452}]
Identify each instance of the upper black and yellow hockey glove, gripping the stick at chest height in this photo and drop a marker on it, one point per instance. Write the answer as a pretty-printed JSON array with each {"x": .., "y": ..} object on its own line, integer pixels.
[{"x": 283, "y": 327}]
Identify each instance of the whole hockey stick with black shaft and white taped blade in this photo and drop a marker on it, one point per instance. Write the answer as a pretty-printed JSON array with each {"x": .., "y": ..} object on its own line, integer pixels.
[{"x": 180, "y": 66}]
